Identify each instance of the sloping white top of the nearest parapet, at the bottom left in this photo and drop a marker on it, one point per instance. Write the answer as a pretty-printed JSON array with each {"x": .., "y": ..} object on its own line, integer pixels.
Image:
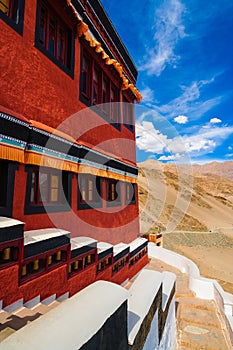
[{"x": 73, "y": 323}]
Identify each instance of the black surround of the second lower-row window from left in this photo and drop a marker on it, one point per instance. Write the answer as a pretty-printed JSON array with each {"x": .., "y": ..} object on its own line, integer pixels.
[{"x": 65, "y": 203}]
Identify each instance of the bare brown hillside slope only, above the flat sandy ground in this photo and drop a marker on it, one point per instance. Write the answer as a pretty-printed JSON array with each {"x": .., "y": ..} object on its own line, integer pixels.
[{"x": 195, "y": 198}]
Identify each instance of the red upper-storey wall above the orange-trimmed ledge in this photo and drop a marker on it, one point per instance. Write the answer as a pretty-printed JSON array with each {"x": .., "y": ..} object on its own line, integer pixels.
[{"x": 34, "y": 86}]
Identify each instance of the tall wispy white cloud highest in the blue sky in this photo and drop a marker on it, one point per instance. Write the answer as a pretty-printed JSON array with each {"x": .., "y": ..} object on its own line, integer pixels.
[{"x": 169, "y": 29}]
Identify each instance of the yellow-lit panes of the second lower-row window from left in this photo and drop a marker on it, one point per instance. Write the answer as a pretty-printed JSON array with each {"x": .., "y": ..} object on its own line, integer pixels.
[{"x": 45, "y": 188}]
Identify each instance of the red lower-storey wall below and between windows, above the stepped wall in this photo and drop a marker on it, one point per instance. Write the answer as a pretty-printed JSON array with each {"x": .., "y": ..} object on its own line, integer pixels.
[{"x": 111, "y": 225}]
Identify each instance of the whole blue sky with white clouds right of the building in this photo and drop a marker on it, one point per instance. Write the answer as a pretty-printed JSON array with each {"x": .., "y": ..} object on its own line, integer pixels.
[{"x": 183, "y": 50}]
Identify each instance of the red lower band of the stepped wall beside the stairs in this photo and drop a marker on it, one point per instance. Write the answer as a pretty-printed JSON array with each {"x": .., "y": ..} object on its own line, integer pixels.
[{"x": 57, "y": 282}]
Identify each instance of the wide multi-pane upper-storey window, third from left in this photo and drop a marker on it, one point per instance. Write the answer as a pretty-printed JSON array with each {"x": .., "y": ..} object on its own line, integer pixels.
[{"x": 97, "y": 88}]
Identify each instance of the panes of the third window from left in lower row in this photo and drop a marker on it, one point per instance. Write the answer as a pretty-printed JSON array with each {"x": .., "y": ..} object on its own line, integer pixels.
[{"x": 89, "y": 191}]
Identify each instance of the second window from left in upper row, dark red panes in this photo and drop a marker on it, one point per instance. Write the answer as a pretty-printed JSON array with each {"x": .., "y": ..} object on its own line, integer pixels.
[{"x": 53, "y": 36}]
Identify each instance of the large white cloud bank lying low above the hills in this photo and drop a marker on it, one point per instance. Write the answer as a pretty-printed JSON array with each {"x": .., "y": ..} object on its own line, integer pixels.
[{"x": 202, "y": 142}]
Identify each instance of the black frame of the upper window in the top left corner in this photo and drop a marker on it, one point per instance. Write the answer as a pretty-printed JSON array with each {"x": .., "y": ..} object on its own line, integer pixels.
[{"x": 17, "y": 25}]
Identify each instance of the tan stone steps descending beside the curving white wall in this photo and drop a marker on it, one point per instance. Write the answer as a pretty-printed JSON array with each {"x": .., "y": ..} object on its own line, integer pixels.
[{"x": 200, "y": 325}]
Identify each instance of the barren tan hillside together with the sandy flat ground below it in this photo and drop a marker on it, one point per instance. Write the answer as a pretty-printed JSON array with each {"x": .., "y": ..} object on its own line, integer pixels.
[{"x": 195, "y": 211}]
